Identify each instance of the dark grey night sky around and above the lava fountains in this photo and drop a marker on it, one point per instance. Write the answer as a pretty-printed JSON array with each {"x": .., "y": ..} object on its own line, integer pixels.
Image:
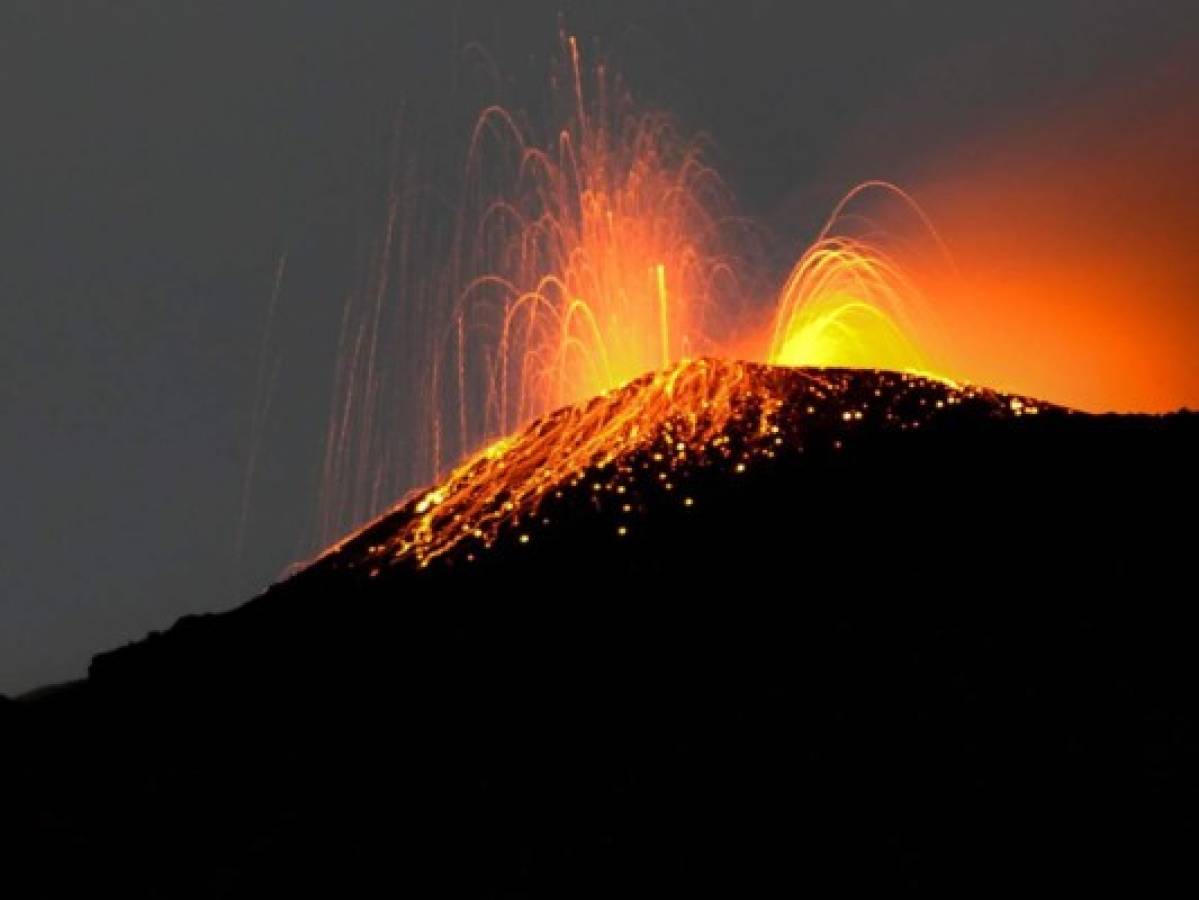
[{"x": 159, "y": 160}]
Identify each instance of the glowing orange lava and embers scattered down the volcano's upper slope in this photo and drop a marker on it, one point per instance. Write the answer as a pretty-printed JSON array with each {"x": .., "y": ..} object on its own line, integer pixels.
[{"x": 644, "y": 446}]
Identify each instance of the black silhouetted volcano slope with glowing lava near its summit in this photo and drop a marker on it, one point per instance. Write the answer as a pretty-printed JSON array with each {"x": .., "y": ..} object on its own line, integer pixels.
[{"x": 865, "y": 631}]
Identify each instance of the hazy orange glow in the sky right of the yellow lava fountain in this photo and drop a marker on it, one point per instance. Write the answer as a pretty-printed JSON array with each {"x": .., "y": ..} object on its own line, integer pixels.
[{"x": 1076, "y": 251}]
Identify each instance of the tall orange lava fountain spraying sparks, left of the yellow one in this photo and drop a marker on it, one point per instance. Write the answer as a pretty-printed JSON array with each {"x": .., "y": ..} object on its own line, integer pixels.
[{"x": 610, "y": 252}]
